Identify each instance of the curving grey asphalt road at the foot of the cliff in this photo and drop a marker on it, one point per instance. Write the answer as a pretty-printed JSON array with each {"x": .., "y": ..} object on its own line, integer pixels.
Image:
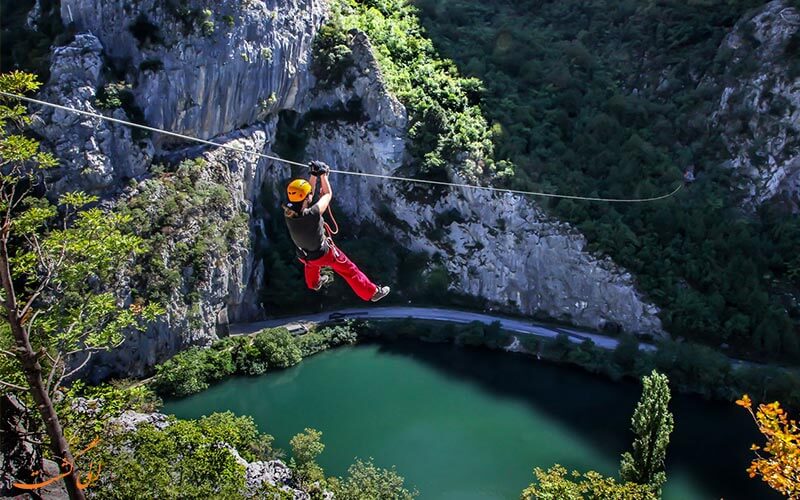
[{"x": 510, "y": 324}]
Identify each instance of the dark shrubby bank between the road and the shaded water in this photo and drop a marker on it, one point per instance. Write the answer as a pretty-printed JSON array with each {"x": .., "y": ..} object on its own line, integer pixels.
[{"x": 691, "y": 368}]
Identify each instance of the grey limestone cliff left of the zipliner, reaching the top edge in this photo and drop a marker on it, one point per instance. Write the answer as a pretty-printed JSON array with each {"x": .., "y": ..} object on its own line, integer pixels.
[{"x": 250, "y": 66}]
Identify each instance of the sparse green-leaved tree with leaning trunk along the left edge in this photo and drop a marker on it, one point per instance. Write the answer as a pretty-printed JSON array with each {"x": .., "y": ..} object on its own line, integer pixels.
[{"x": 53, "y": 260}]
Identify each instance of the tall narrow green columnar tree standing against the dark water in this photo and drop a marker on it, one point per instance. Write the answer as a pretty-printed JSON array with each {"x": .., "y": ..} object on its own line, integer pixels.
[{"x": 652, "y": 424}]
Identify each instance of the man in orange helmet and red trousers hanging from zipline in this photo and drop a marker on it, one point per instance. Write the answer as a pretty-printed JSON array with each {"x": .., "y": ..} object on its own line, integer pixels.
[{"x": 315, "y": 248}]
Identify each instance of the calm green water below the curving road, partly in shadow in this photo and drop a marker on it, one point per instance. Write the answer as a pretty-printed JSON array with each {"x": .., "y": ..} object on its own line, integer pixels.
[{"x": 472, "y": 424}]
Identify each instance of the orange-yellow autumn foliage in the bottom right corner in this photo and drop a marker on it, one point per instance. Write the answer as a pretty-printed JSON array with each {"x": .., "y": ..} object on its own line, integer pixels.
[{"x": 780, "y": 466}]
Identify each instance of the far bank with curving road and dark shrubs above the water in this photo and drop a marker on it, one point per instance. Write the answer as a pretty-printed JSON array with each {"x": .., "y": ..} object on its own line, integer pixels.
[{"x": 692, "y": 368}]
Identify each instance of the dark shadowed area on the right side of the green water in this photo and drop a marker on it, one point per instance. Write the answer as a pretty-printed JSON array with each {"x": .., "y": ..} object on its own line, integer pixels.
[{"x": 710, "y": 442}]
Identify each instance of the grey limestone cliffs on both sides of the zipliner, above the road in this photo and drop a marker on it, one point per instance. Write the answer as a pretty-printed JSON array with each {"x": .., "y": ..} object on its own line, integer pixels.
[{"x": 224, "y": 70}]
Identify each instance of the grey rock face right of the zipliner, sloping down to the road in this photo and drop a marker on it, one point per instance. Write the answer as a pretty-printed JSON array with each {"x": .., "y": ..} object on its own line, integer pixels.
[{"x": 502, "y": 248}]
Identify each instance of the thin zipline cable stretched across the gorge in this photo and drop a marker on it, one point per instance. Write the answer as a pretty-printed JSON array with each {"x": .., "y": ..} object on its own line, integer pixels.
[{"x": 344, "y": 172}]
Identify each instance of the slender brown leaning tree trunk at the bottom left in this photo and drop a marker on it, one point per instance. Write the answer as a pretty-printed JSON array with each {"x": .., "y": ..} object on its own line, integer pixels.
[{"x": 33, "y": 374}]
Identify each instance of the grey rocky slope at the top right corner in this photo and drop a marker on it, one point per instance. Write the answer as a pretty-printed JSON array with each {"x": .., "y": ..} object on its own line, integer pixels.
[{"x": 759, "y": 110}]
